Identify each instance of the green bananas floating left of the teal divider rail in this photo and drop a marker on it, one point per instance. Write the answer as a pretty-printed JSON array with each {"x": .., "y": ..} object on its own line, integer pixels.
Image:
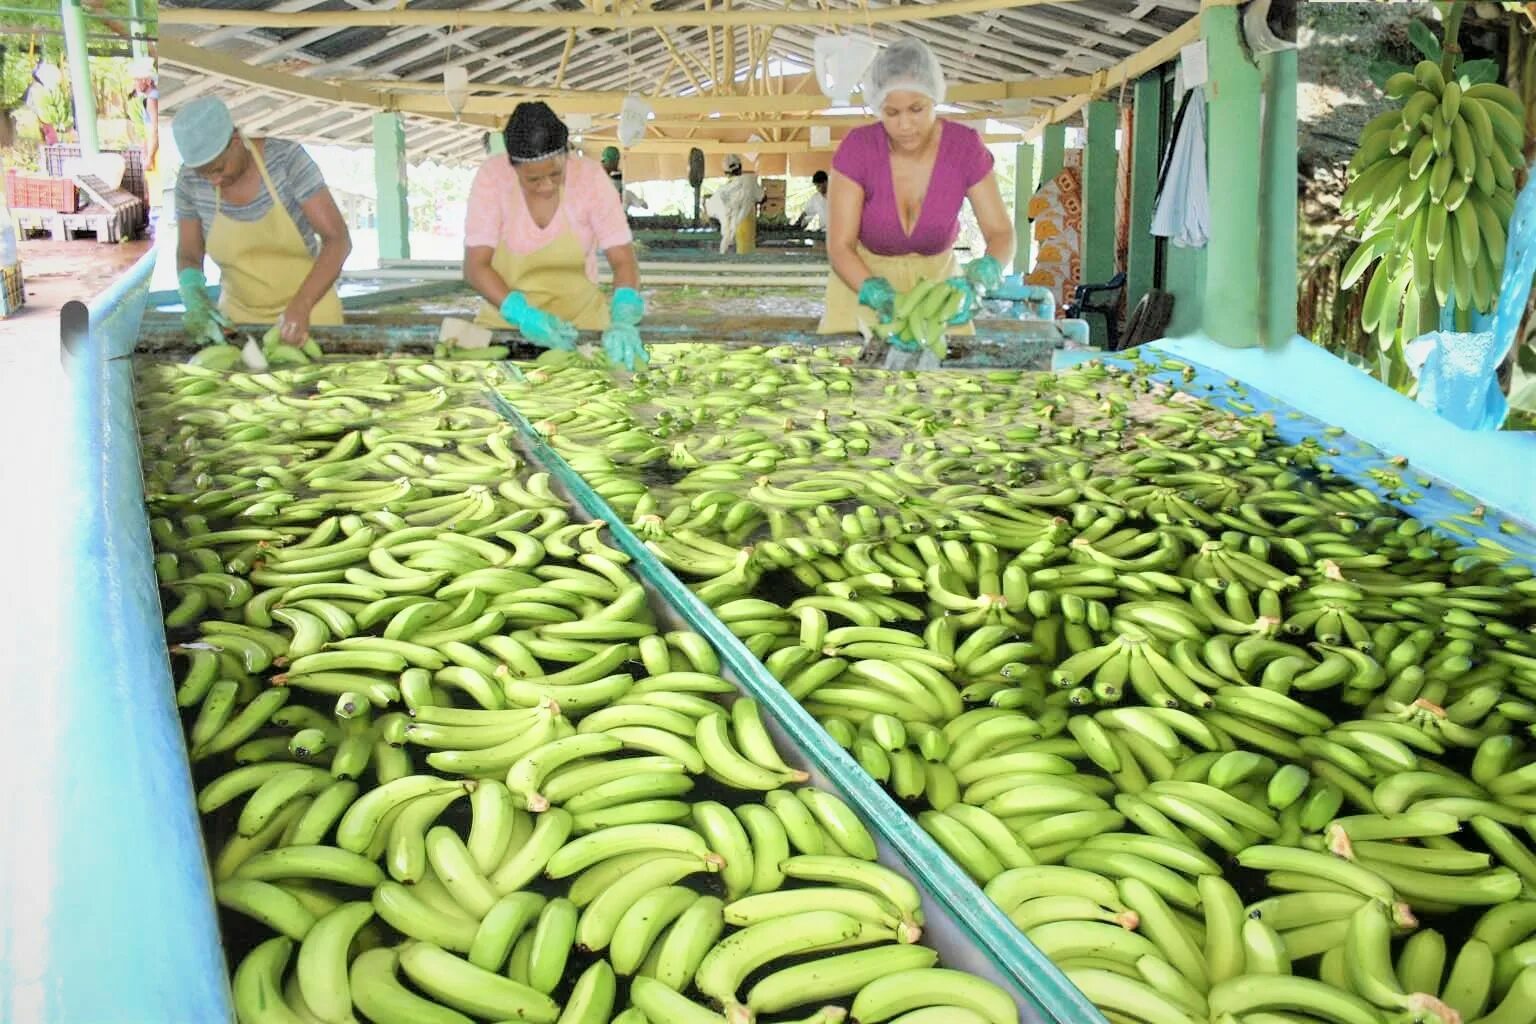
[{"x": 454, "y": 751}]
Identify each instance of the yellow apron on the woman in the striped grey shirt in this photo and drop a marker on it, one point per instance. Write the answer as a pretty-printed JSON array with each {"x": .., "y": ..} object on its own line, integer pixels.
[{"x": 263, "y": 263}]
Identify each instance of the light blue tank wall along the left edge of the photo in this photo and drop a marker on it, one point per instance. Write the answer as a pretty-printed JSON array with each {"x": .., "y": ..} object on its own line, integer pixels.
[{"x": 113, "y": 920}]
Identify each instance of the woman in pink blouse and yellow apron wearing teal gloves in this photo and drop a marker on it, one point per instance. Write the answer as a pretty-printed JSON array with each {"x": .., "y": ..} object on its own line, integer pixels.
[{"x": 538, "y": 217}]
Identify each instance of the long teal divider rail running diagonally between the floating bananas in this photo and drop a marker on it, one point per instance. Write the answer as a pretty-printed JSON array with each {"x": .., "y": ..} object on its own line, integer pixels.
[{"x": 1047, "y": 989}]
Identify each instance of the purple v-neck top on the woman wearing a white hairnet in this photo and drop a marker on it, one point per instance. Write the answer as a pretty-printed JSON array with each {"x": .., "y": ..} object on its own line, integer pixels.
[{"x": 866, "y": 157}]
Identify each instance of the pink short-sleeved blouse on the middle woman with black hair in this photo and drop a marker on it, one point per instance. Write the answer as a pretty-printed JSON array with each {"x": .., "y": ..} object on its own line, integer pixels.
[{"x": 591, "y": 206}]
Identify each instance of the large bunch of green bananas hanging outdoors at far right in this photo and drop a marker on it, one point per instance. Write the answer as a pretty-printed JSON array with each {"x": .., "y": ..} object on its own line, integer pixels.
[{"x": 1432, "y": 188}]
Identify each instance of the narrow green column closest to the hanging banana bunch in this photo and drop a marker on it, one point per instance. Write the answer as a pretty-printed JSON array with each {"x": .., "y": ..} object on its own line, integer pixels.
[{"x": 1280, "y": 197}]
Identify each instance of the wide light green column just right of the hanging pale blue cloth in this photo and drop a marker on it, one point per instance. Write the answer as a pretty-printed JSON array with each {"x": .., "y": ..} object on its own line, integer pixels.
[{"x": 1233, "y": 144}]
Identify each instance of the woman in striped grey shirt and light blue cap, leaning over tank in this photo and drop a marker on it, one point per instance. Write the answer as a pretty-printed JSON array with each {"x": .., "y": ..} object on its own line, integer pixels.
[{"x": 262, "y": 211}]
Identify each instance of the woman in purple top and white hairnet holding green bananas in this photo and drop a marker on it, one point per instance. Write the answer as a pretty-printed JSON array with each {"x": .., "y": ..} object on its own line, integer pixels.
[{"x": 895, "y": 200}]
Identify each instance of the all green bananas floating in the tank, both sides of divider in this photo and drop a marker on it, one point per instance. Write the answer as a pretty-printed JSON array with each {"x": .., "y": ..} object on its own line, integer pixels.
[{"x": 1081, "y": 647}]
